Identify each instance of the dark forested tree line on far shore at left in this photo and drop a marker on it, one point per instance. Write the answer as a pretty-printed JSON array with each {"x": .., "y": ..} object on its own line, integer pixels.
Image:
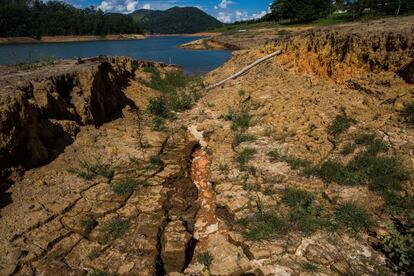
[{"x": 36, "y": 19}]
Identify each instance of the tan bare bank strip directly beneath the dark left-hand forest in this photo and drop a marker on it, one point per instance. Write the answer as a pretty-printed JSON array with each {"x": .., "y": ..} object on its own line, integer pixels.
[{"x": 70, "y": 38}]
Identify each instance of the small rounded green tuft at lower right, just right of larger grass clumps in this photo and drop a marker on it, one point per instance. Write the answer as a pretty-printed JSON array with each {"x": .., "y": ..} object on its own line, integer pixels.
[{"x": 353, "y": 216}]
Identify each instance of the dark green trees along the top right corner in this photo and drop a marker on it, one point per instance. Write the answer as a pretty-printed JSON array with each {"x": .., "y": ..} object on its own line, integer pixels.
[{"x": 297, "y": 11}]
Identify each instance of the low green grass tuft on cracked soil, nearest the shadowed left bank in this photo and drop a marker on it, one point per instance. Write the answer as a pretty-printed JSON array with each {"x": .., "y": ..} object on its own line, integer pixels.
[{"x": 89, "y": 171}]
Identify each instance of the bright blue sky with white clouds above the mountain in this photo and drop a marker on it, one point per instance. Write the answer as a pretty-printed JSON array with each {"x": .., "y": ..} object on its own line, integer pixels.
[{"x": 224, "y": 10}]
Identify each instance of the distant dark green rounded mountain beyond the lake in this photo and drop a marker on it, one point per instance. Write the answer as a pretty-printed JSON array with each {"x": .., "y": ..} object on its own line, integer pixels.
[{"x": 175, "y": 20}]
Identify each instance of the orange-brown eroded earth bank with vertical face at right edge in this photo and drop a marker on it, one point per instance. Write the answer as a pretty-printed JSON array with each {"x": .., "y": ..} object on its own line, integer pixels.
[{"x": 351, "y": 50}]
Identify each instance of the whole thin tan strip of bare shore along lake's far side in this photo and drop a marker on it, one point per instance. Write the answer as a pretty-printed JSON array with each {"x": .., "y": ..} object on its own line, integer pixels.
[{"x": 79, "y": 38}]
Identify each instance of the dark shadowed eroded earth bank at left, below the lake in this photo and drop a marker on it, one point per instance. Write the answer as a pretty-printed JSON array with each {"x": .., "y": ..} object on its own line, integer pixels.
[{"x": 42, "y": 110}]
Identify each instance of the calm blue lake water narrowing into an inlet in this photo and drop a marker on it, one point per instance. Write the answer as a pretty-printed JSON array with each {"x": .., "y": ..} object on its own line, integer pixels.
[{"x": 163, "y": 49}]
